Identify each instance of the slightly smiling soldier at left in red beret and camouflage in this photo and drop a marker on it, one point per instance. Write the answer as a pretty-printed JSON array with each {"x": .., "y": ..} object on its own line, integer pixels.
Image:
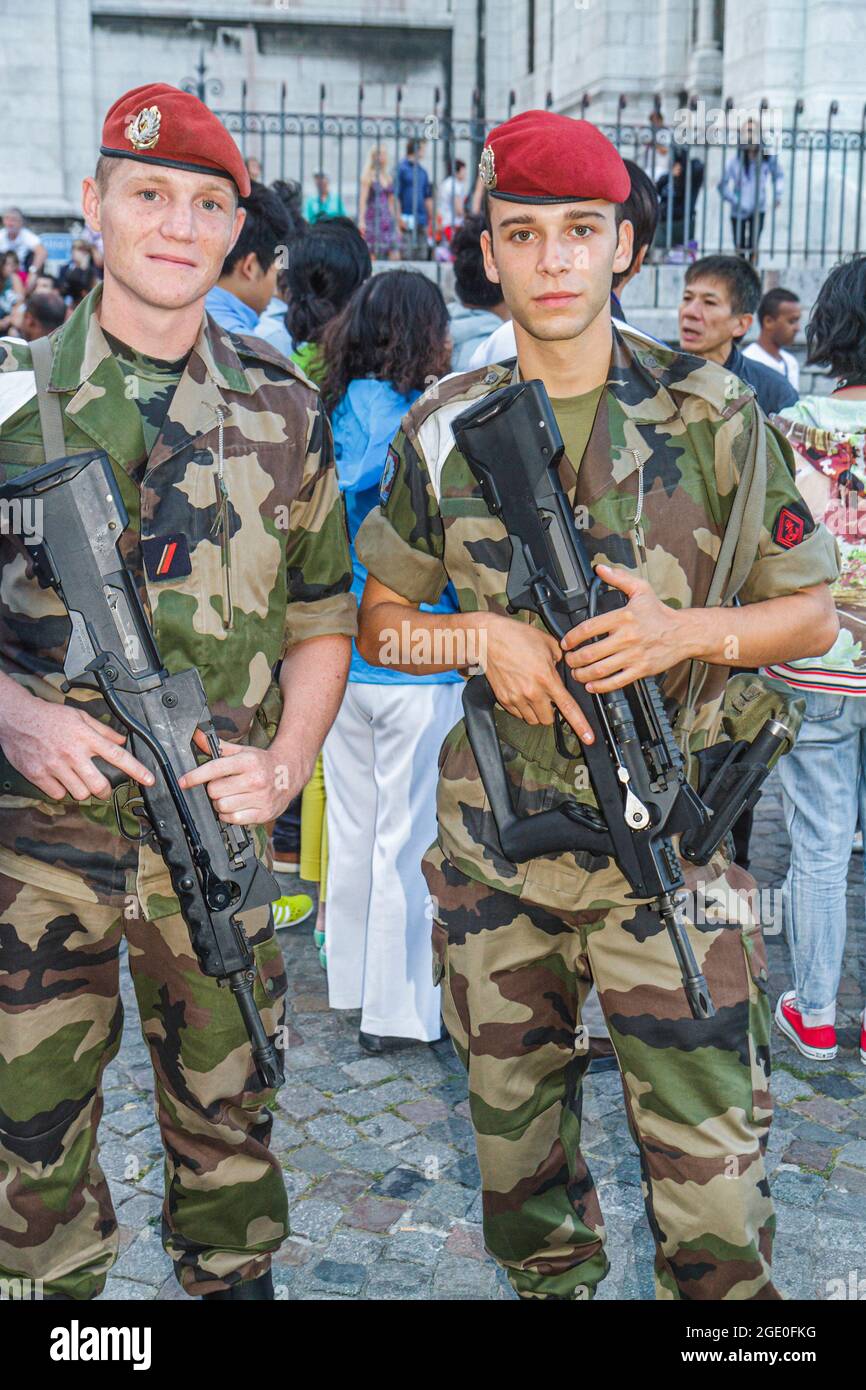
[{"x": 238, "y": 544}]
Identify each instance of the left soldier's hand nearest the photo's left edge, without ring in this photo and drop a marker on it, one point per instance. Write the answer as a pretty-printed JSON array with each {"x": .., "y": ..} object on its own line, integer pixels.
[{"x": 55, "y": 746}]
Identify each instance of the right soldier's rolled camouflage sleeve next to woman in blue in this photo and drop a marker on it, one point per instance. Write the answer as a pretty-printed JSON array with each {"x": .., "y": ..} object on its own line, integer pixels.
[{"x": 401, "y": 541}]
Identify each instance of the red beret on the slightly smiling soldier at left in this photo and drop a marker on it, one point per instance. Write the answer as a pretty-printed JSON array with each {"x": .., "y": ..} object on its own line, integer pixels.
[{"x": 159, "y": 124}]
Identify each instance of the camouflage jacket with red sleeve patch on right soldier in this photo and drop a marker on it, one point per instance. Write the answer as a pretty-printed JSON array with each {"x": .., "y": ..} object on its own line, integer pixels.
[{"x": 668, "y": 430}]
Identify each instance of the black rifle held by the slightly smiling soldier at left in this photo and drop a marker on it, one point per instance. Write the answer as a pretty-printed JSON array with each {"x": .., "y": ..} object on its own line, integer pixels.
[{"x": 215, "y": 869}]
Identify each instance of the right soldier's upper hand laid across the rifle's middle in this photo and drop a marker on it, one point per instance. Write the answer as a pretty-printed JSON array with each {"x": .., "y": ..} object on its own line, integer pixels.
[{"x": 644, "y": 639}]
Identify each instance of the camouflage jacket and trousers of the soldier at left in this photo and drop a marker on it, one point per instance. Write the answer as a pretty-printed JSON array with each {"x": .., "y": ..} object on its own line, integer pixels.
[{"x": 269, "y": 566}]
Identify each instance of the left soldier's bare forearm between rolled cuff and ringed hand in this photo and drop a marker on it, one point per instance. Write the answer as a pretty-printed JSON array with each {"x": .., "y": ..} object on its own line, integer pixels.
[{"x": 312, "y": 679}]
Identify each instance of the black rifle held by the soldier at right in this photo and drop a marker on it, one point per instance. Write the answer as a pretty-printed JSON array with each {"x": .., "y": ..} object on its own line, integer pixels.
[{"x": 512, "y": 444}]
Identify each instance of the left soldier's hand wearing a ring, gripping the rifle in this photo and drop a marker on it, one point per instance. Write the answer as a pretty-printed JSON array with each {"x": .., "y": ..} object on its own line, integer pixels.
[{"x": 248, "y": 786}]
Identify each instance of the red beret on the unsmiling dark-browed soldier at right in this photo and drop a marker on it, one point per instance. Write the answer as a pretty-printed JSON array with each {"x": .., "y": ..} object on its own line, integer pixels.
[{"x": 544, "y": 158}]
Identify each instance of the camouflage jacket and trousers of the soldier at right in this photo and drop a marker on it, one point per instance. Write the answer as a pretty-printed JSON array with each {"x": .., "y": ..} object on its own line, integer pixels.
[{"x": 519, "y": 946}]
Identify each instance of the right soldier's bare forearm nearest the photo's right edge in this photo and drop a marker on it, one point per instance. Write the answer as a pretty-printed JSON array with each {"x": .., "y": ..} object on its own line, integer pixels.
[{"x": 775, "y": 630}]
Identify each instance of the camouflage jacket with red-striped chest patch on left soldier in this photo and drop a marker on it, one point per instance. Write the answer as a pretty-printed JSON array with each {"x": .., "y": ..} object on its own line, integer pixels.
[{"x": 266, "y": 571}]
